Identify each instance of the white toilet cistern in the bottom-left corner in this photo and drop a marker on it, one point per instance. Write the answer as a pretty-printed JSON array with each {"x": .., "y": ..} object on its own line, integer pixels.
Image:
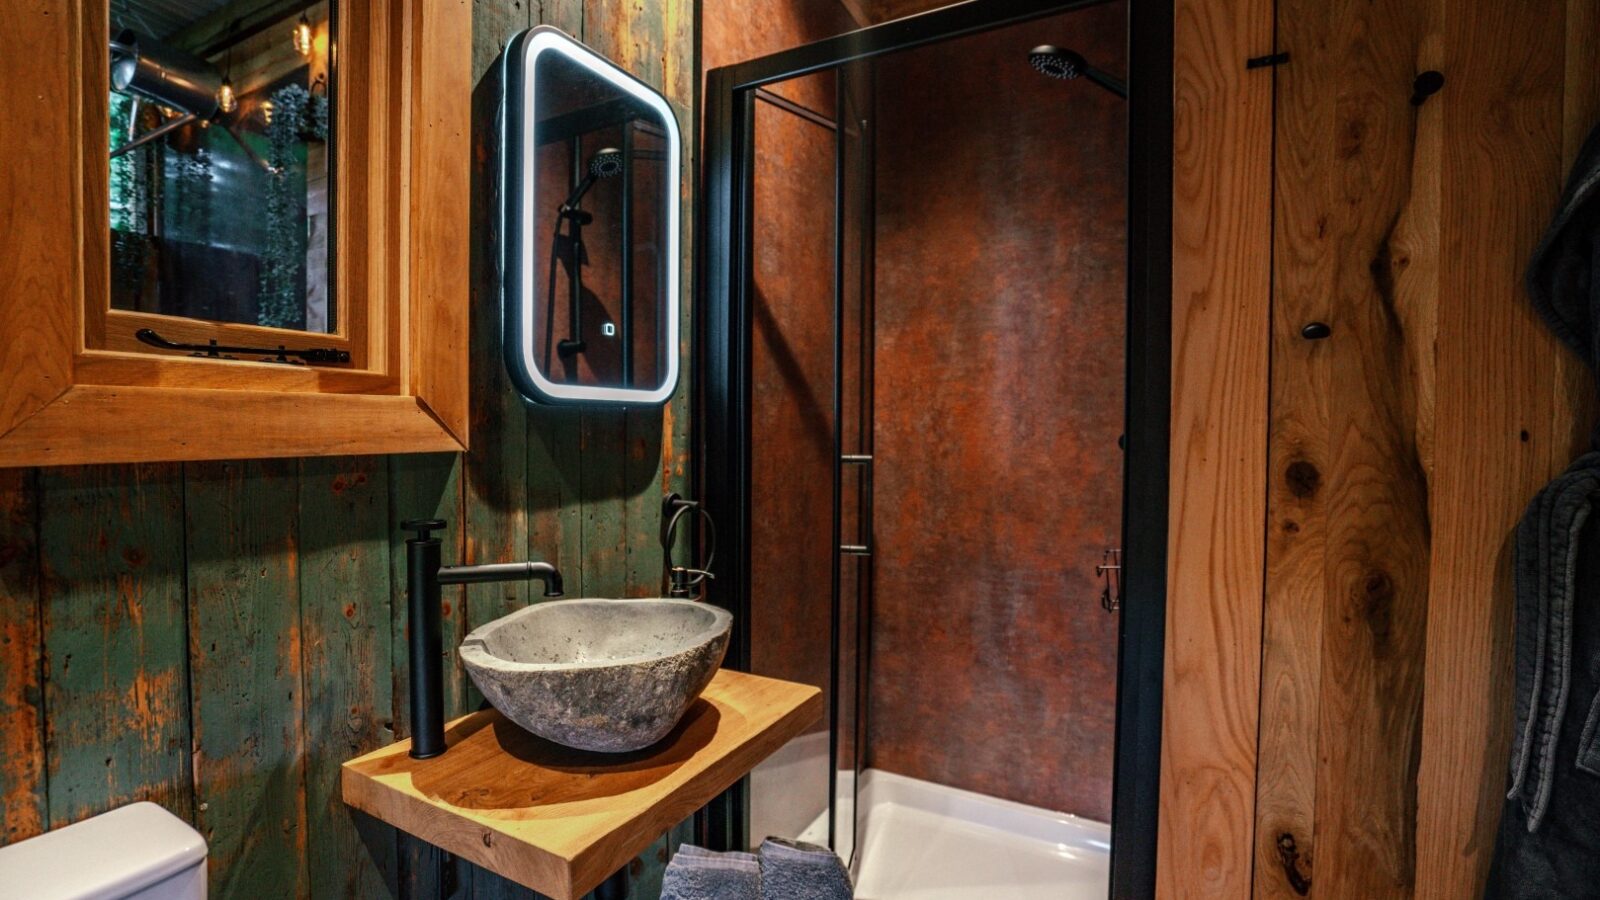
[{"x": 113, "y": 854}]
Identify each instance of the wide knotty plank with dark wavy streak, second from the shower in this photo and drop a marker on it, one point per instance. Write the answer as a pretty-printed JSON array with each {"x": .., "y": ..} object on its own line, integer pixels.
[{"x": 1348, "y": 532}]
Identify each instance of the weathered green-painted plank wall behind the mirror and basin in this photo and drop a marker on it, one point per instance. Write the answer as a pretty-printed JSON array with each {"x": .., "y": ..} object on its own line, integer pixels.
[{"x": 220, "y": 637}]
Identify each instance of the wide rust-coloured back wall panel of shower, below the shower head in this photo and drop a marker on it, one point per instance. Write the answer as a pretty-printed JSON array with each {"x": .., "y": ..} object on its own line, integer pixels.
[{"x": 1001, "y": 294}]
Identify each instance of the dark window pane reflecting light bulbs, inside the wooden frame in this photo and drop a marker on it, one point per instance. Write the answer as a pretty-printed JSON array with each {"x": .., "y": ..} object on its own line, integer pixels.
[{"x": 222, "y": 161}]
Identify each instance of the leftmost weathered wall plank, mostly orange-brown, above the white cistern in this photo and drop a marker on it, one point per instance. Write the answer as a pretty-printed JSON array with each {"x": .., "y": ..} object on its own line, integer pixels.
[{"x": 22, "y": 662}]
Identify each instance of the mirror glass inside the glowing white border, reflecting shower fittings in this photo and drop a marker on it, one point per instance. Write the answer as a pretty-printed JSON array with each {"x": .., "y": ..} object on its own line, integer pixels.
[{"x": 602, "y": 203}]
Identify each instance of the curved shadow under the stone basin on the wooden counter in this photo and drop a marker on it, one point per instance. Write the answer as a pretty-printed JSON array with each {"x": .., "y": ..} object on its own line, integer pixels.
[{"x": 550, "y": 774}]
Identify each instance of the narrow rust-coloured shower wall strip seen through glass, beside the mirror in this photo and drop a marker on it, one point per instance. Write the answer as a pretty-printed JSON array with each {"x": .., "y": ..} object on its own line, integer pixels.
[{"x": 793, "y": 416}]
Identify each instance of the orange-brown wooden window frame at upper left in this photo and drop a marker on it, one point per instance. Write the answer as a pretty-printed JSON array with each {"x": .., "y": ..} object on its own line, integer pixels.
[{"x": 76, "y": 388}]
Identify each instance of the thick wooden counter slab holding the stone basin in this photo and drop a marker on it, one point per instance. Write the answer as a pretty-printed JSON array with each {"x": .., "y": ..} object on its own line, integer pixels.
[{"x": 561, "y": 821}]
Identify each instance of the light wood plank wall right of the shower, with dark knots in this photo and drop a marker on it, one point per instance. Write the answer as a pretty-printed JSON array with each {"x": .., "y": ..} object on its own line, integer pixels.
[{"x": 1340, "y": 608}]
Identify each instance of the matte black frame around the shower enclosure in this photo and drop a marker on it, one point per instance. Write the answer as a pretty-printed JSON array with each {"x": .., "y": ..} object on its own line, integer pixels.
[{"x": 724, "y": 372}]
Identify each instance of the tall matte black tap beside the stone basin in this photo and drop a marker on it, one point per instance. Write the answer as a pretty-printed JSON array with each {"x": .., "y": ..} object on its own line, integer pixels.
[{"x": 425, "y": 576}]
